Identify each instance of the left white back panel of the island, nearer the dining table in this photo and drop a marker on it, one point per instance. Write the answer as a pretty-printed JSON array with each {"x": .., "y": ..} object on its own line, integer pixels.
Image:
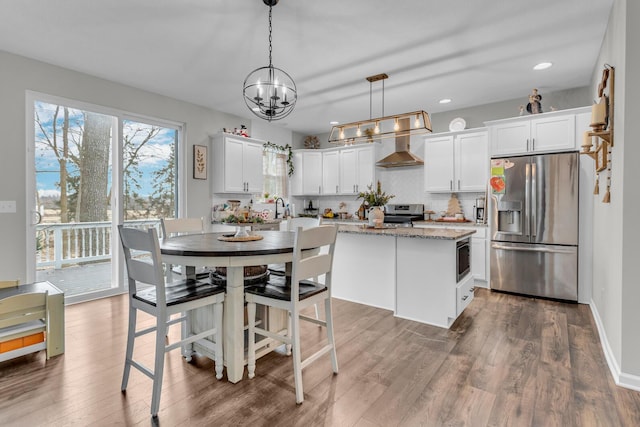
[{"x": 364, "y": 269}]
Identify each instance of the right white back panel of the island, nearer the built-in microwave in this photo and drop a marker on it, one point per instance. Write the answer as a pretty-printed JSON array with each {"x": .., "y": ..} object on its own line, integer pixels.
[{"x": 426, "y": 285}]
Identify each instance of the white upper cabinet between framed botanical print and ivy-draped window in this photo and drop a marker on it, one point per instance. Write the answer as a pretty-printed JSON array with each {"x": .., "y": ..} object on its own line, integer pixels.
[{"x": 237, "y": 164}]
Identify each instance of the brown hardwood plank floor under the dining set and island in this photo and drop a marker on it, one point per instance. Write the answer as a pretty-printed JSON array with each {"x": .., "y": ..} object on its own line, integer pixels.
[{"x": 507, "y": 361}]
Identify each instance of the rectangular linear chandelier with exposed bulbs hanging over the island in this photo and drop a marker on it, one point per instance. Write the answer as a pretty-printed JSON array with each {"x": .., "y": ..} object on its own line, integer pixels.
[{"x": 375, "y": 129}]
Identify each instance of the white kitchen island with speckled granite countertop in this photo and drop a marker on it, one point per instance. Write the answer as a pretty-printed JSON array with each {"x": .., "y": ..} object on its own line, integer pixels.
[{"x": 411, "y": 271}]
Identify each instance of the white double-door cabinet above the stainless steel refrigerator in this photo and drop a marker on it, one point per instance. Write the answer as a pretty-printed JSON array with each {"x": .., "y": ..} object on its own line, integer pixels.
[{"x": 533, "y": 134}]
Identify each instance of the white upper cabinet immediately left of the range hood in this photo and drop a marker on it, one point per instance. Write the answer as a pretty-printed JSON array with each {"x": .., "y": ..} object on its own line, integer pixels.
[{"x": 356, "y": 169}]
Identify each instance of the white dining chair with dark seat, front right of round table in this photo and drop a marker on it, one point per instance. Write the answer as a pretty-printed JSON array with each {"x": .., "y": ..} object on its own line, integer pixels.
[{"x": 295, "y": 293}]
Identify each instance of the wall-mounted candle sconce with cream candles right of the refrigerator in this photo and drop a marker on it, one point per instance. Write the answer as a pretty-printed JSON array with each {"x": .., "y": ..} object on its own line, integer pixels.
[{"x": 602, "y": 129}]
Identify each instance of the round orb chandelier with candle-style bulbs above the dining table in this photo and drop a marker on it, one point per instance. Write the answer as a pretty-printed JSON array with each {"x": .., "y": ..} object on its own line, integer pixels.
[{"x": 269, "y": 92}]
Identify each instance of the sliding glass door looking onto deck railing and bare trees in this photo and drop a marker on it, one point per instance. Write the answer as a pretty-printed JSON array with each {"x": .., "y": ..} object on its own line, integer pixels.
[{"x": 90, "y": 170}]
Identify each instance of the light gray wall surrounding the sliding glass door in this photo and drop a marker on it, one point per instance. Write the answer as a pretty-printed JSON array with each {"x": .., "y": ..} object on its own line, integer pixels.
[{"x": 19, "y": 74}]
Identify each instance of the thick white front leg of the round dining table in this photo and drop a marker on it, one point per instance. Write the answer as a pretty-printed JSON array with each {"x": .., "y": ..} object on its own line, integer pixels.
[{"x": 234, "y": 324}]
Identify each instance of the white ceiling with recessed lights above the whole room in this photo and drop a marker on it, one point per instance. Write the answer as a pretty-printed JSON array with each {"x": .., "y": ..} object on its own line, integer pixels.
[{"x": 200, "y": 51}]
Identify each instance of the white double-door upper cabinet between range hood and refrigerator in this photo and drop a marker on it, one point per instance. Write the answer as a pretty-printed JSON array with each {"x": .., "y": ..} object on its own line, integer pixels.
[{"x": 456, "y": 162}]
